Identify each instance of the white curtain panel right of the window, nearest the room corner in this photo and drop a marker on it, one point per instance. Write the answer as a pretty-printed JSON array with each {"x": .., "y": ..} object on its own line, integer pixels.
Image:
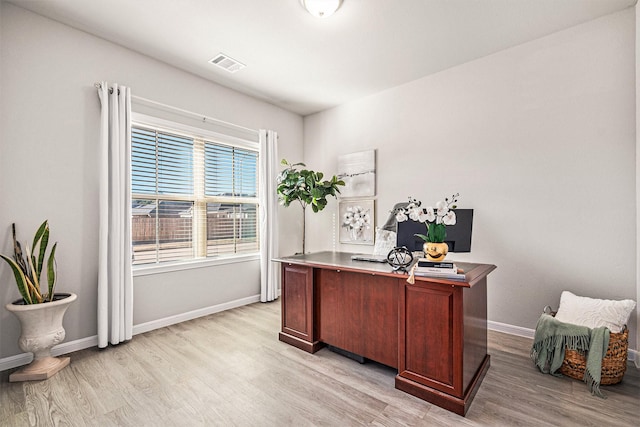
[{"x": 269, "y": 270}]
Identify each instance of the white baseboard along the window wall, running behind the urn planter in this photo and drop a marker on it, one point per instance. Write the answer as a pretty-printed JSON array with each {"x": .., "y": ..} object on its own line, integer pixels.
[{"x": 80, "y": 344}]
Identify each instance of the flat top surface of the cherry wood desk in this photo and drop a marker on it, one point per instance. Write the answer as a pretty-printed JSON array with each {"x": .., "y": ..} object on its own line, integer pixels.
[{"x": 343, "y": 261}]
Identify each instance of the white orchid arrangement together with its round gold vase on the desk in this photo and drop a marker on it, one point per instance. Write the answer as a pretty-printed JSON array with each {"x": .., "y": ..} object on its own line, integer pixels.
[{"x": 436, "y": 220}]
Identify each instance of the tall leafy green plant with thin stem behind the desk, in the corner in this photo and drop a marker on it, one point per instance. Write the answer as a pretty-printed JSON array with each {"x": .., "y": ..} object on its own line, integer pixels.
[{"x": 307, "y": 187}]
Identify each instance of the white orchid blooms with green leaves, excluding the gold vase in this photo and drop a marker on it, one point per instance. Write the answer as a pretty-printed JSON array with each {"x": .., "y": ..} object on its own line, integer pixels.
[{"x": 436, "y": 219}]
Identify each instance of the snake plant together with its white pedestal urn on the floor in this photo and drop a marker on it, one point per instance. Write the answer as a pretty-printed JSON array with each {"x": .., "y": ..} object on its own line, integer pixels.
[{"x": 40, "y": 313}]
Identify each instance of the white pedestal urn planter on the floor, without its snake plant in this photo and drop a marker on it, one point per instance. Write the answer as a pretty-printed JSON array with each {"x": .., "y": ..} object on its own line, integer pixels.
[{"x": 41, "y": 330}]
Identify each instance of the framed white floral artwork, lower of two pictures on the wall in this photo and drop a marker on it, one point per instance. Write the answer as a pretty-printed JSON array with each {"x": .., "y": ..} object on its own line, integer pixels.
[{"x": 357, "y": 221}]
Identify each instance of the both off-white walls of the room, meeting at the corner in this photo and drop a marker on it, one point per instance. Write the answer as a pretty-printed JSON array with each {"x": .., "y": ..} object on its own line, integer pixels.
[{"x": 539, "y": 139}]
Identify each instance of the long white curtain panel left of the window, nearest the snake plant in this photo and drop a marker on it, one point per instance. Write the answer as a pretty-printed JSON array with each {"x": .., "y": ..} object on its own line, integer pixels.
[{"x": 115, "y": 281}]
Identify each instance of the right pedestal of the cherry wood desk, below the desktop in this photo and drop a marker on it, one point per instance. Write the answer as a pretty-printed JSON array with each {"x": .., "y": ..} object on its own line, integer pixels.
[{"x": 445, "y": 365}]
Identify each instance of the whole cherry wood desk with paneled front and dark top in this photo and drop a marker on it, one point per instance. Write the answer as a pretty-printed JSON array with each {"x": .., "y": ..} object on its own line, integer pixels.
[{"x": 433, "y": 332}]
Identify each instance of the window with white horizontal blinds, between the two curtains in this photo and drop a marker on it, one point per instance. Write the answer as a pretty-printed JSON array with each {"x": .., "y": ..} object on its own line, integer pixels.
[{"x": 193, "y": 196}]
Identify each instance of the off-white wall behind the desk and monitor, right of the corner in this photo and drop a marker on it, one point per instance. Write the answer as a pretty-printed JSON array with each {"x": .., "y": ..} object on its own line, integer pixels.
[{"x": 538, "y": 139}]
